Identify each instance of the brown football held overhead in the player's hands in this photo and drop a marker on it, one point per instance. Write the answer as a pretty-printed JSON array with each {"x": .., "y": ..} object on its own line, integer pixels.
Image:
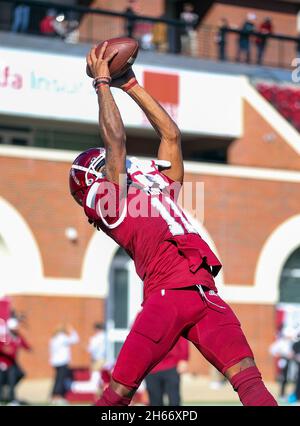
[{"x": 127, "y": 52}]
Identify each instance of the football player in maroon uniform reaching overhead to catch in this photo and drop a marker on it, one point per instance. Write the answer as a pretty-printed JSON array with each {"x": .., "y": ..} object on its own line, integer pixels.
[{"x": 176, "y": 265}]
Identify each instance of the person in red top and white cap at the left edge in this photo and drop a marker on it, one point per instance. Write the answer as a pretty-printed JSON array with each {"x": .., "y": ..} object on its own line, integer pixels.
[{"x": 10, "y": 370}]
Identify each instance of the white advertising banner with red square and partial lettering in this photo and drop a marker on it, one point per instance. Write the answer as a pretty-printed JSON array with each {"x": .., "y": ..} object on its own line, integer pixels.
[{"x": 55, "y": 87}]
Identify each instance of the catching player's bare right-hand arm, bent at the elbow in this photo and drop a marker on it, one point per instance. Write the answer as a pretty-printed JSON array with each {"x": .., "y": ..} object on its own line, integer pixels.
[{"x": 166, "y": 128}]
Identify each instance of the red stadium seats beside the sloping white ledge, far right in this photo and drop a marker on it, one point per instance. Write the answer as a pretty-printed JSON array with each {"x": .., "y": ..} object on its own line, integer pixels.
[{"x": 285, "y": 99}]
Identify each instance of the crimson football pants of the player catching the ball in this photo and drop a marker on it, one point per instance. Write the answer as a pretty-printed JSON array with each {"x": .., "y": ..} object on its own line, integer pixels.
[{"x": 200, "y": 316}]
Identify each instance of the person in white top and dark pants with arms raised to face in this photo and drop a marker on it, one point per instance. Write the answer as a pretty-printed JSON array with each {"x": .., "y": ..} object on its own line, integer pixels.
[{"x": 60, "y": 357}]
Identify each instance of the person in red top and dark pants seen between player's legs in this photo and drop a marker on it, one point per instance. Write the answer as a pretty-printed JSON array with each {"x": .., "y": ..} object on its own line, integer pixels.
[{"x": 164, "y": 379}]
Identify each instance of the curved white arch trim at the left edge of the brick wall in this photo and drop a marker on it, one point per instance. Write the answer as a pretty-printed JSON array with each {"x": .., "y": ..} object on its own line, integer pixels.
[{"x": 25, "y": 263}]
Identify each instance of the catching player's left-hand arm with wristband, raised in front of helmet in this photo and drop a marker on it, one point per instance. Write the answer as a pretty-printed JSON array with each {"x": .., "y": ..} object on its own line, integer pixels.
[{"x": 110, "y": 122}]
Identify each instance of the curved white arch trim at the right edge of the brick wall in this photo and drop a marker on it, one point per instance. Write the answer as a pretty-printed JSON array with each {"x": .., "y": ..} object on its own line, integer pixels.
[{"x": 276, "y": 250}]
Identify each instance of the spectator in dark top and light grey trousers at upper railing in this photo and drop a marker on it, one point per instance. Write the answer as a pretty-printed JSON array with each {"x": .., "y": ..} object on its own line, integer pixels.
[{"x": 189, "y": 37}]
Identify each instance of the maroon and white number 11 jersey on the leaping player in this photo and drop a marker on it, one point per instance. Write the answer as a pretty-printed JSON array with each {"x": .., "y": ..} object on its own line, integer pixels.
[{"x": 167, "y": 250}]
